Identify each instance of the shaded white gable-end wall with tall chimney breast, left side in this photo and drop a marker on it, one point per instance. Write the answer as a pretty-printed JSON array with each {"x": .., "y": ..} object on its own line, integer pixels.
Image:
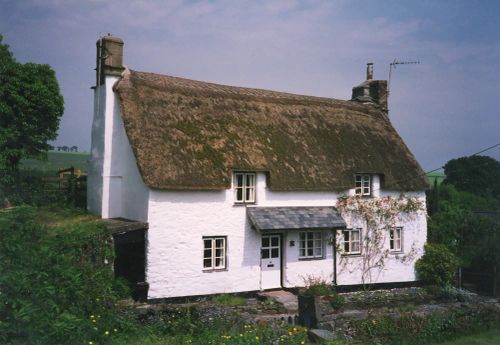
[{"x": 115, "y": 187}]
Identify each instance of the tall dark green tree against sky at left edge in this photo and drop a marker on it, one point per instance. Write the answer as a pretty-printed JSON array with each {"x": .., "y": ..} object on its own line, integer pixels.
[{"x": 30, "y": 109}]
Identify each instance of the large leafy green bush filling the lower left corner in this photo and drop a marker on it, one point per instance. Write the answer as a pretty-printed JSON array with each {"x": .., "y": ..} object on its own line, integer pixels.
[{"x": 56, "y": 284}]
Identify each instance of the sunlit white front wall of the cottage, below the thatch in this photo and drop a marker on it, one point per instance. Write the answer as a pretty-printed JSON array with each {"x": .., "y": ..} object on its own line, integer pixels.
[{"x": 178, "y": 220}]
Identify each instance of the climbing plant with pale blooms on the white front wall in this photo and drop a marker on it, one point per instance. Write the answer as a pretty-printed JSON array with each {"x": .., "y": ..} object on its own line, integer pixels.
[{"x": 377, "y": 215}]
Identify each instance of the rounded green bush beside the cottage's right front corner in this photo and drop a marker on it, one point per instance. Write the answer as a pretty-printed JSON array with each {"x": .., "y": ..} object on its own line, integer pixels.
[{"x": 437, "y": 266}]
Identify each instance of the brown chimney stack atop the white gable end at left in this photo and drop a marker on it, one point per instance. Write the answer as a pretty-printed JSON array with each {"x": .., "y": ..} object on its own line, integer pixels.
[{"x": 109, "y": 57}]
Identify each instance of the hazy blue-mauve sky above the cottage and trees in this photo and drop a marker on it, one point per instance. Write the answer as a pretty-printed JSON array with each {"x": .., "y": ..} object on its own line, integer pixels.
[{"x": 445, "y": 107}]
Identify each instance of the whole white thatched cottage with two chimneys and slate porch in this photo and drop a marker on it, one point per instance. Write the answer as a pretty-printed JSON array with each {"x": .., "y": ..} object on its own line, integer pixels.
[{"x": 229, "y": 189}]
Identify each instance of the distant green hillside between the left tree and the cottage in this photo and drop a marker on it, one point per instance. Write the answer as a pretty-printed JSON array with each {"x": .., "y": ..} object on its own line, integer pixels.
[{"x": 57, "y": 160}]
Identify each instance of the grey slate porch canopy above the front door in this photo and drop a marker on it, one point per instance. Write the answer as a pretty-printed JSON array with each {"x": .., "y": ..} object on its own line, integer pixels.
[{"x": 295, "y": 218}]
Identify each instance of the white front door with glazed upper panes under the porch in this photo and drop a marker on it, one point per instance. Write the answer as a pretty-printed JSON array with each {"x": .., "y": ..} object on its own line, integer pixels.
[{"x": 270, "y": 262}]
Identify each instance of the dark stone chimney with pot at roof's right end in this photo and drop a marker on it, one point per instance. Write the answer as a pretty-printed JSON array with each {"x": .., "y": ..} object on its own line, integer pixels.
[{"x": 371, "y": 91}]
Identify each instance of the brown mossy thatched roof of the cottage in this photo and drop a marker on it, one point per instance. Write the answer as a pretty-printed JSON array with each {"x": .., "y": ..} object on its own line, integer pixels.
[{"x": 188, "y": 134}]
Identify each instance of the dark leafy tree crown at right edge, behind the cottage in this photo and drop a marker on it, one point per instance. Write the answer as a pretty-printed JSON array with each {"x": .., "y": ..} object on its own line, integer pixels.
[{"x": 475, "y": 174}]
